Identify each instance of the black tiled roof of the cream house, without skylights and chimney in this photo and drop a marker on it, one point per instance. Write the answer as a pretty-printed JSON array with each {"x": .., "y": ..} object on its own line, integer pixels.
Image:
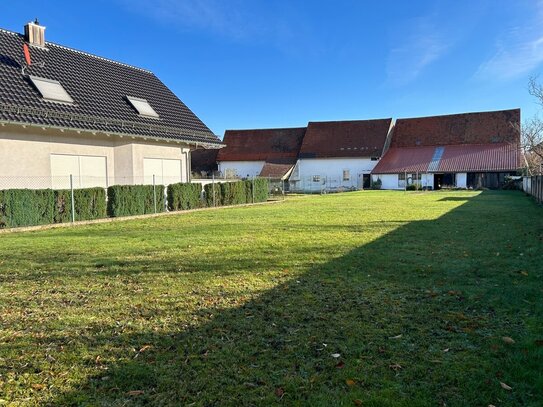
[{"x": 99, "y": 88}]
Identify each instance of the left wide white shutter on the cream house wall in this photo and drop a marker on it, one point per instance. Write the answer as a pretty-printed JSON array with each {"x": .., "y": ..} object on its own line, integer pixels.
[{"x": 87, "y": 171}]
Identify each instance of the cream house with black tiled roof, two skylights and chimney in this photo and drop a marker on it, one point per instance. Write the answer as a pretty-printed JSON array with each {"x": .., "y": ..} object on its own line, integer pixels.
[{"x": 67, "y": 113}]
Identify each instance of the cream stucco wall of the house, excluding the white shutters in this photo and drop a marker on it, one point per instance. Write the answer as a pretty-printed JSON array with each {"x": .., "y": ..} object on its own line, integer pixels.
[{"x": 25, "y": 155}]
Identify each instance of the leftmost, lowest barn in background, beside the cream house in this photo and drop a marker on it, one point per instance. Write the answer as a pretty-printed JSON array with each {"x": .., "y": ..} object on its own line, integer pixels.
[{"x": 270, "y": 153}]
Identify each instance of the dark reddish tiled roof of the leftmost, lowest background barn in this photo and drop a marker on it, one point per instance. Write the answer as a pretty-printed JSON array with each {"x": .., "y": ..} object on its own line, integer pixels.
[{"x": 277, "y": 145}]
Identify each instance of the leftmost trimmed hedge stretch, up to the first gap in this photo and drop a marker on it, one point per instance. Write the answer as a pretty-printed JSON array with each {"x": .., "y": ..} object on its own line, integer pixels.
[{"x": 45, "y": 206}]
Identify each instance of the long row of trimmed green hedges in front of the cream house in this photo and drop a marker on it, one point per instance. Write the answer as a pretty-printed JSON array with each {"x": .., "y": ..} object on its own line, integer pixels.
[{"x": 30, "y": 207}]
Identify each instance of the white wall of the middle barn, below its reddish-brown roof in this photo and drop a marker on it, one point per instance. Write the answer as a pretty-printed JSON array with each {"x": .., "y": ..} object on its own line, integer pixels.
[{"x": 330, "y": 171}]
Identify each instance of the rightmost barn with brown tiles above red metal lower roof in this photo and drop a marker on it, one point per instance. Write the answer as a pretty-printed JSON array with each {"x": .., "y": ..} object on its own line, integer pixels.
[{"x": 459, "y": 150}]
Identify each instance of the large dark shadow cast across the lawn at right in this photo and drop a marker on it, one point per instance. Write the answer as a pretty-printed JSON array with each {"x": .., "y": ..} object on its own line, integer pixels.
[{"x": 413, "y": 318}]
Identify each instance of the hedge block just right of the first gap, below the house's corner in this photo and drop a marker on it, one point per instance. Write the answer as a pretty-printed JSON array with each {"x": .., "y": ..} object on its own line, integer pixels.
[{"x": 127, "y": 200}]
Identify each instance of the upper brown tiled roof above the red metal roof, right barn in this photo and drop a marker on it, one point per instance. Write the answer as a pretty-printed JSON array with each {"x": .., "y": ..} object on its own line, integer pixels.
[{"x": 465, "y": 128}]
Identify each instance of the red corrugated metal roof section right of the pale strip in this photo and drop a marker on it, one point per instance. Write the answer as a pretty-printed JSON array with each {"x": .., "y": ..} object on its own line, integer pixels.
[{"x": 480, "y": 157}]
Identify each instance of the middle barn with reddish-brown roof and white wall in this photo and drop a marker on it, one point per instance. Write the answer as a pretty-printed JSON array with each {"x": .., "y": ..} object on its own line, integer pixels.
[{"x": 339, "y": 154}]
